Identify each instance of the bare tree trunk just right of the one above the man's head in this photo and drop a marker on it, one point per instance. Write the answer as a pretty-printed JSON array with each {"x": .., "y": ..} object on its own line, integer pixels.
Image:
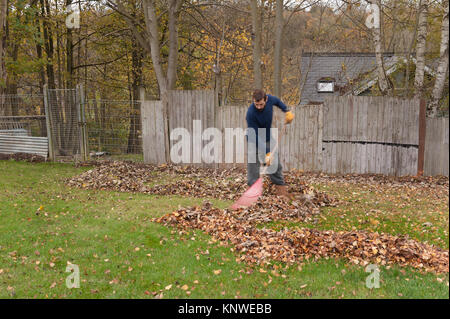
[{"x": 278, "y": 54}]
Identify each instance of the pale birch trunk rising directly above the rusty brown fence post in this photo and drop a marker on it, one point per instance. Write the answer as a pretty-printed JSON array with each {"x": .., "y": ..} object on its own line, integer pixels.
[{"x": 420, "y": 48}]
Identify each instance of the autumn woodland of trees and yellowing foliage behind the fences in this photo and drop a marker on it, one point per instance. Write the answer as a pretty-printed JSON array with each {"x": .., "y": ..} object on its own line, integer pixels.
[{"x": 230, "y": 46}]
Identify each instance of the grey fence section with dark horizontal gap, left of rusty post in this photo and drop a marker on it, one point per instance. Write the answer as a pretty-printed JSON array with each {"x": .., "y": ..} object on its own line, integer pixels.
[{"x": 381, "y": 133}]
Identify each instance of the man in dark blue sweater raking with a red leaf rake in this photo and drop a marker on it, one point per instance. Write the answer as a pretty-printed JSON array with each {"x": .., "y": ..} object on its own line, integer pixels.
[{"x": 259, "y": 121}]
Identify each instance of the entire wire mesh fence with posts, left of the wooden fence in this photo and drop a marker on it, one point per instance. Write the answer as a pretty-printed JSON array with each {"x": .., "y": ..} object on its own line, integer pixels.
[{"x": 77, "y": 127}]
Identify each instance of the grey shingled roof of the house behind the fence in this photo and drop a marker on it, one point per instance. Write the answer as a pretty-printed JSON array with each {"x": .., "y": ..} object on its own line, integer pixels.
[{"x": 343, "y": 68}]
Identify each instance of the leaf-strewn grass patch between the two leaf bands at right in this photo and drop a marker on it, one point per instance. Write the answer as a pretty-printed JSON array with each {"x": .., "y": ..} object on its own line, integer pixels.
[{"x": 422, "y": 215}]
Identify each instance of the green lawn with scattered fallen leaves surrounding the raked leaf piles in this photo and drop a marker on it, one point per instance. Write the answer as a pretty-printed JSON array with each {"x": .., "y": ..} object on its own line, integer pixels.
[{"x": 122, "y": 254}]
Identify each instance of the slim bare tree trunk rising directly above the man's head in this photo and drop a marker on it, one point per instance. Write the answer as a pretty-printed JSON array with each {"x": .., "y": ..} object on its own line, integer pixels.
[{"x": 256, "y": 40}]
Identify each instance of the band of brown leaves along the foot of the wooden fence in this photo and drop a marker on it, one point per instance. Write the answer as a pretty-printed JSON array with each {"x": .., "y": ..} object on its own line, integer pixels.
[{"x": 226, "y": 184}]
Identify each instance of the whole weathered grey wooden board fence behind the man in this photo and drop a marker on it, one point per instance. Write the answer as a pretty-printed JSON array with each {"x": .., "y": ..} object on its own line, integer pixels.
[{"x": 344, "y": 135}]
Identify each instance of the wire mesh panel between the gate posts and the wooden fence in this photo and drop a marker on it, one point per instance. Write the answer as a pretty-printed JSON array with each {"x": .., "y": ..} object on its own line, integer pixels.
[{"x": 113, "y": 127}]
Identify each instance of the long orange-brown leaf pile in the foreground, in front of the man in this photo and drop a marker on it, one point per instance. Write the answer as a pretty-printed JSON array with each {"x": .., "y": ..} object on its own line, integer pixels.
[{"x": 263, "y": 245}]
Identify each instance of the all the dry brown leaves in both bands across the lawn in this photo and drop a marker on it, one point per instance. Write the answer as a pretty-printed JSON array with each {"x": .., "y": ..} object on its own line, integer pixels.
[{"x": 262, "y": 245}]
